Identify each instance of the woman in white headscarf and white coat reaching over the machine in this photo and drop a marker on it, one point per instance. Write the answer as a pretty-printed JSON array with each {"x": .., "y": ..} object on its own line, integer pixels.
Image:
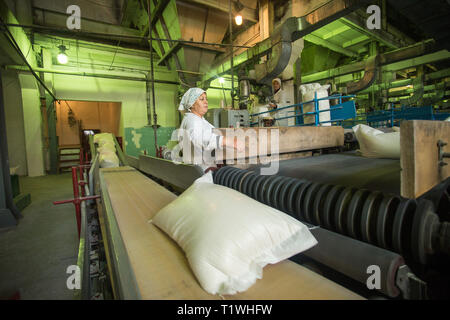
[{"x": 198, "y": 129}]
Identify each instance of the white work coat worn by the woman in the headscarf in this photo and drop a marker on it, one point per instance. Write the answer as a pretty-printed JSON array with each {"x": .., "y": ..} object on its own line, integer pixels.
[{"x": 200, "y": 133}]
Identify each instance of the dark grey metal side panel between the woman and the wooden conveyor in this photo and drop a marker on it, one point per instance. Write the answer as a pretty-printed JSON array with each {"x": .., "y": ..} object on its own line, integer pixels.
[{"x": 179, "y": 175}]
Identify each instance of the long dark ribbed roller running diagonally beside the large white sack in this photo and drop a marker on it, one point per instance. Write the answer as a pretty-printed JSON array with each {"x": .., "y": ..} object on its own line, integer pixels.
[{"x": 384, "y": 220}]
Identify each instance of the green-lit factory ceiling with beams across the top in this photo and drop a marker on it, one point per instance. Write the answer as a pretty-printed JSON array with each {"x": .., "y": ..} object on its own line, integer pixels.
[{"x": 114, "y": 33}]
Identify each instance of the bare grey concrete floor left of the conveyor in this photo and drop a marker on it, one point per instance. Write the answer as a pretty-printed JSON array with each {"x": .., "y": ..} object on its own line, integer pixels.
[{"x": 35, "y": 255}]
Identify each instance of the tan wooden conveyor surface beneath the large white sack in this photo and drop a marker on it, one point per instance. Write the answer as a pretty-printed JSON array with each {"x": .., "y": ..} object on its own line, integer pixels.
[{"x": 159, "y": 269}]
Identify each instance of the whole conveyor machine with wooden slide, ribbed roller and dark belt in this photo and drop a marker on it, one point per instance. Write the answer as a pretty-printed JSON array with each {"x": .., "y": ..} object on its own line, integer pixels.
[{"x": 355, "y": 207}]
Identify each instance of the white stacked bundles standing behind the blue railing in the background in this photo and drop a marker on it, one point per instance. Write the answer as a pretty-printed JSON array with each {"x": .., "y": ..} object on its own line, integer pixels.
[{"x": 308, "y": 91}]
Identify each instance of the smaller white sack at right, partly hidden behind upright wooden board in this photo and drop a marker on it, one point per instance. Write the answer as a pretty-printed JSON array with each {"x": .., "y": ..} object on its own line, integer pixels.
[{"x": 374, "y": 143}]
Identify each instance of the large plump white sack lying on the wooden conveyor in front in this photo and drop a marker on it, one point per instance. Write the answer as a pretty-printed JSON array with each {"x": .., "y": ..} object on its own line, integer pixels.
[{"x": 228, "y": 237}]
